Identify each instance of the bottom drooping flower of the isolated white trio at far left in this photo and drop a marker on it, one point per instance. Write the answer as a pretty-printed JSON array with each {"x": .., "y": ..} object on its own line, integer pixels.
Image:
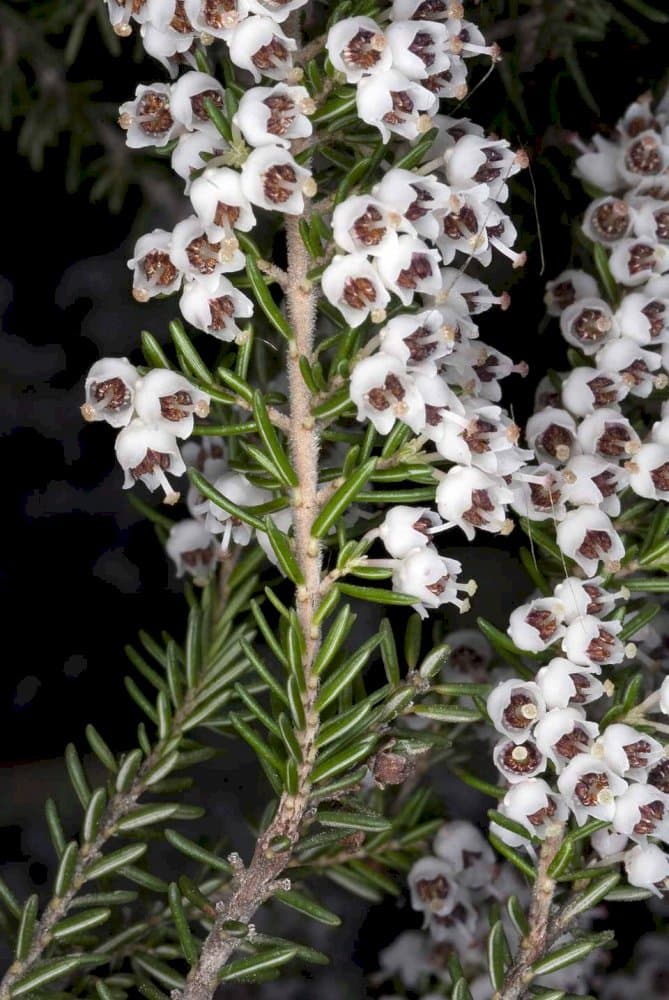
[{"x": 147, "y": 453}]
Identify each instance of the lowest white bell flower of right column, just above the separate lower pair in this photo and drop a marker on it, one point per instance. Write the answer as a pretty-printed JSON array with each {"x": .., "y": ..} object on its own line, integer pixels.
[{"x": 471, "y": 499}]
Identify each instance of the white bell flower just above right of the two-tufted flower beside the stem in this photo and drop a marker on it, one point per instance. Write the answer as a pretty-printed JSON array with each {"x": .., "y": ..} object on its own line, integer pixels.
[{"x": 418, "y": 340}]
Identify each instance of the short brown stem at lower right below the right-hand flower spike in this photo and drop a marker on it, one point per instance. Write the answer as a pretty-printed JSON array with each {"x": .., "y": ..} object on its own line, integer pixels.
[{"x": 534, "y": 945}]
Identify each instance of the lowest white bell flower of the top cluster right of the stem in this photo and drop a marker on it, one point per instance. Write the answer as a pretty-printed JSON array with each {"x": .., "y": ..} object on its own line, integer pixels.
[{"x": 393, "y": 103}]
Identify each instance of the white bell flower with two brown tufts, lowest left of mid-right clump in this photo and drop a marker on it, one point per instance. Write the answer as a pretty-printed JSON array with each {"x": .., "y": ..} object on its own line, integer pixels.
[{"x": 383, "y": 391}]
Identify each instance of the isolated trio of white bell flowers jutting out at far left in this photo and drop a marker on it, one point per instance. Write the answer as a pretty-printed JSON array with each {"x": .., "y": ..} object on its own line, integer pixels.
[{"x": 152, "y": 411}]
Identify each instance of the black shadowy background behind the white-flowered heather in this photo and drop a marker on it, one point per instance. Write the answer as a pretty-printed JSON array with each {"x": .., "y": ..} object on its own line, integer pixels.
[{"x": 80, "y": 572}]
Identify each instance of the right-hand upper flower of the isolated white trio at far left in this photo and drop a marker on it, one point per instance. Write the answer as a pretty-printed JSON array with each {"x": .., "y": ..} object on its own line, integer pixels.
[{"x": 167, "y": 400}]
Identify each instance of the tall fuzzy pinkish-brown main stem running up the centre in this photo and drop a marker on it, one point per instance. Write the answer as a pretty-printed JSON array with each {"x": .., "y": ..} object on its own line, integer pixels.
[{"x": 257, "y": 882}]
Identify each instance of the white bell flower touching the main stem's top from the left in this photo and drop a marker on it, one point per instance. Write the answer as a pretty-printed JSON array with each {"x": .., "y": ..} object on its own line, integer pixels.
[{"x": 272, "y": 179}]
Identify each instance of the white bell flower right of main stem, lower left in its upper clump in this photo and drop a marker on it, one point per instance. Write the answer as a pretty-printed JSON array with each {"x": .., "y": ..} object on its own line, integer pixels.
[{"x": 353, "y": 285}]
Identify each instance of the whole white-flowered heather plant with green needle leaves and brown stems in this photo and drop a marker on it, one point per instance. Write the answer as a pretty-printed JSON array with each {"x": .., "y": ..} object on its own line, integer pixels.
[{"x": 325, "y": 426}]
